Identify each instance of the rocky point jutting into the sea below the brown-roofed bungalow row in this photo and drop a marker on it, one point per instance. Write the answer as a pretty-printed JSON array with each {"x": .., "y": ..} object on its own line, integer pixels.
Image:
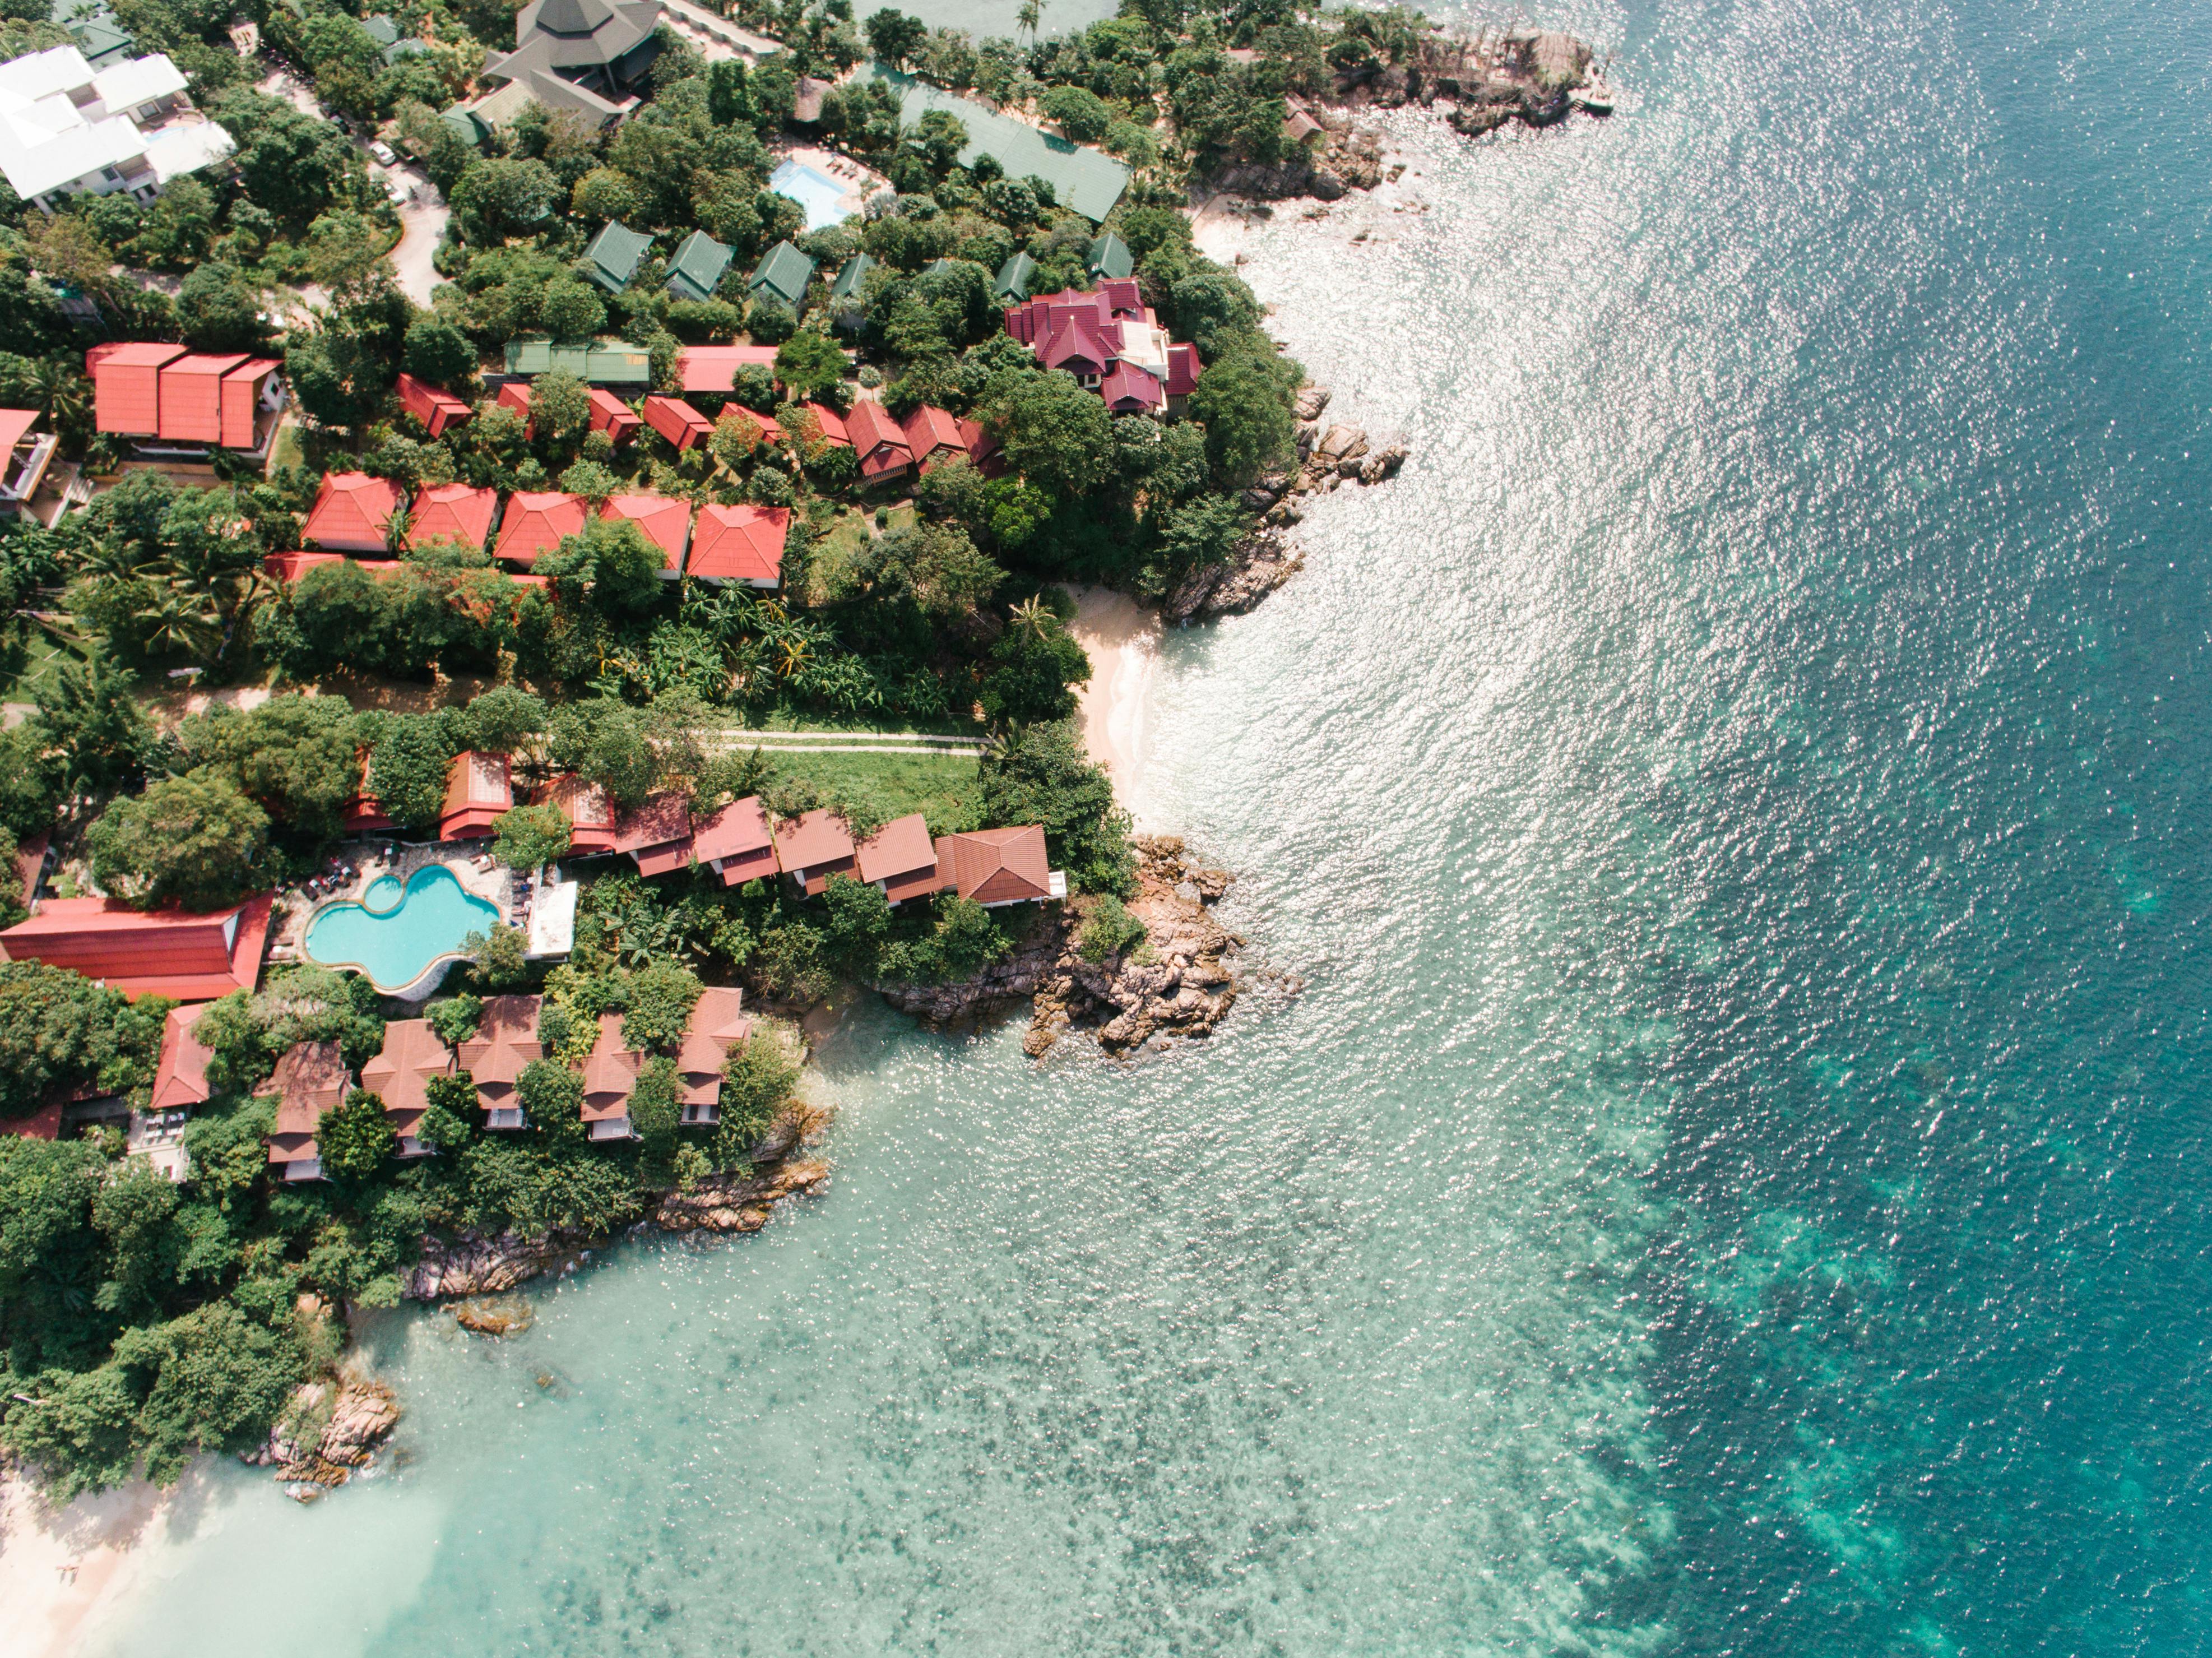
[{"x": 1176, "y": 984}]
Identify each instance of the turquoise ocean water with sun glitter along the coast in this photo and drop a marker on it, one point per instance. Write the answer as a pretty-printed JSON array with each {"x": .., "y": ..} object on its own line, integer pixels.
[{"x": 1735, "y": 1177}]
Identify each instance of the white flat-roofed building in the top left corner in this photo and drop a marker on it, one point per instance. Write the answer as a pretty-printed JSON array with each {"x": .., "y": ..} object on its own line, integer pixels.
[{"x": 70, "y": 129}]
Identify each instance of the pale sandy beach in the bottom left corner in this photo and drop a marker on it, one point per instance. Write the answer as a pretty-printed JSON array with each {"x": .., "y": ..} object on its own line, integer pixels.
[{"x": 63, "y": 1566}]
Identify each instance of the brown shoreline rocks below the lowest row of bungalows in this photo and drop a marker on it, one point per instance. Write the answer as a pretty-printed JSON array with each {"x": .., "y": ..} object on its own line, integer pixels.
[{"x": 479, "y": 1265}]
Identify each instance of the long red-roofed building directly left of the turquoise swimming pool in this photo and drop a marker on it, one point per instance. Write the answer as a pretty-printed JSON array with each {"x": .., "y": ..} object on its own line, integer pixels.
[{"x": 147, "y": 953}]
